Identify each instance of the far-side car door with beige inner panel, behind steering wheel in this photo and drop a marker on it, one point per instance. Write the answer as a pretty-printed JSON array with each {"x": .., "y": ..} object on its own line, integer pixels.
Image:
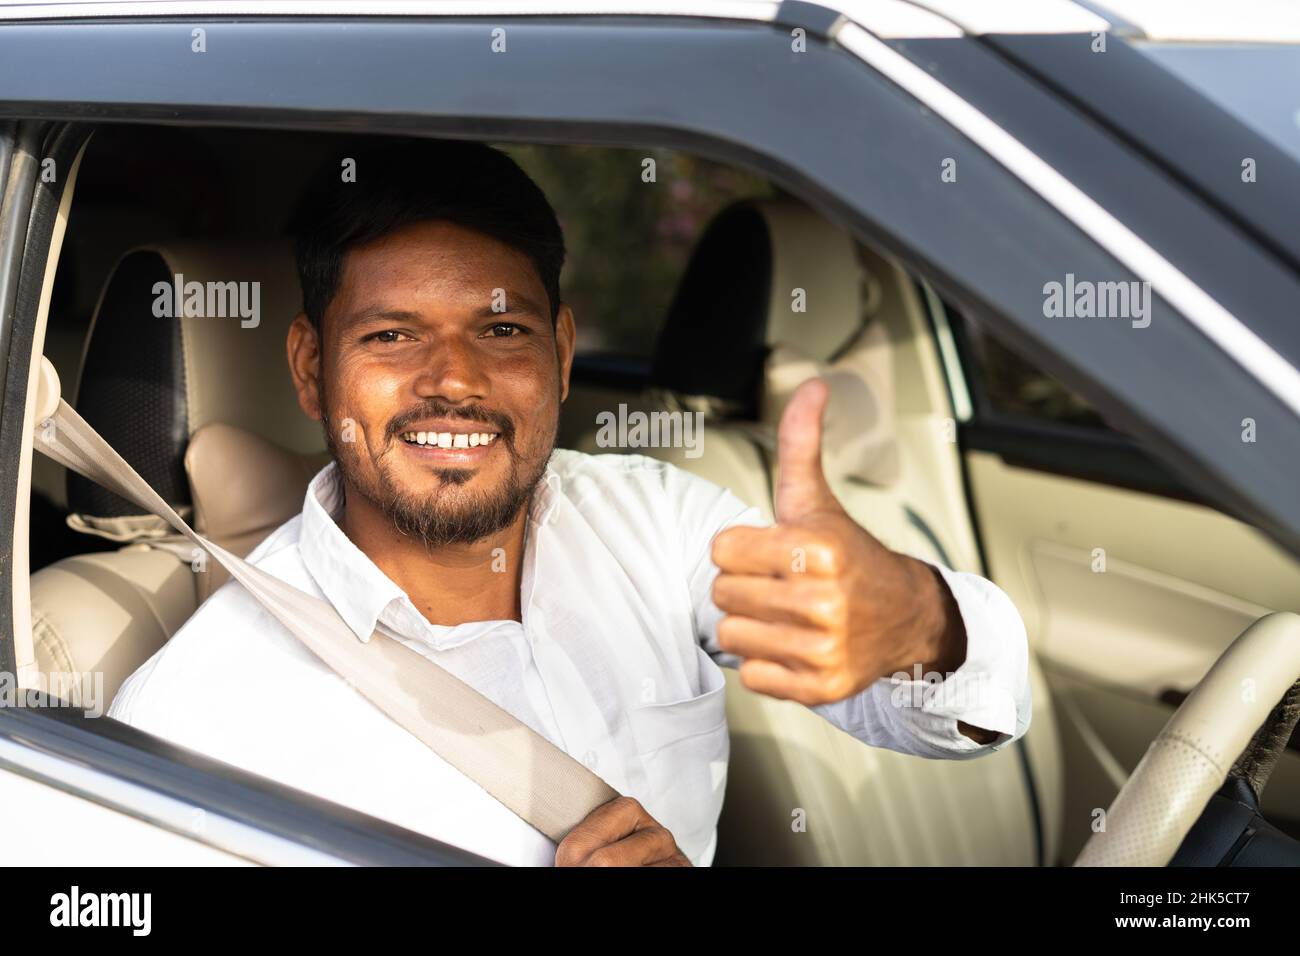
[{"x": 1132, "y": 585}]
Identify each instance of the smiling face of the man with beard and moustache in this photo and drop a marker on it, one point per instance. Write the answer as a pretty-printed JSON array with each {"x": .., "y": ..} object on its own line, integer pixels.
[{"x": 440, "y": 379}]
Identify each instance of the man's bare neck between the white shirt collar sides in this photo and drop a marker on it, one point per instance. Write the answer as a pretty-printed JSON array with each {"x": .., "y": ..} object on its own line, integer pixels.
[{"x": 453, "y": 585}]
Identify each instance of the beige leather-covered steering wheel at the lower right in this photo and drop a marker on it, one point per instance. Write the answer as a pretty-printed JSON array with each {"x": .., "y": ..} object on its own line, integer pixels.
[{"x": 1190, "y": 759}]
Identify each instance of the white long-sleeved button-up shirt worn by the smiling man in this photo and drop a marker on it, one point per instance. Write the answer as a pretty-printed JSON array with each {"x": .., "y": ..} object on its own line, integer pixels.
[{"x": 616, "y": 661}]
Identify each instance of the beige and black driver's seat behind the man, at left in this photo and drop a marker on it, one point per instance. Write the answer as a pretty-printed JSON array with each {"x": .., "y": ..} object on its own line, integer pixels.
[{"x": 149, "y": 384}]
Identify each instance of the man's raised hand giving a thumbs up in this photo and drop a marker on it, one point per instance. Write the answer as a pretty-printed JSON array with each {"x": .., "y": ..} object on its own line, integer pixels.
[{"x": 816, "y": 605}]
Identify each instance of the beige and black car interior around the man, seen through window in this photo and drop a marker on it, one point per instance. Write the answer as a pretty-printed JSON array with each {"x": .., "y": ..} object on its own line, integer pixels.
[{"x": 683, "y": 295}]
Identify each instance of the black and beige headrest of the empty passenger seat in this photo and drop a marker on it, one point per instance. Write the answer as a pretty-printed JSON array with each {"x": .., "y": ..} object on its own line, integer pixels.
[{"x": 765, "y": 274}]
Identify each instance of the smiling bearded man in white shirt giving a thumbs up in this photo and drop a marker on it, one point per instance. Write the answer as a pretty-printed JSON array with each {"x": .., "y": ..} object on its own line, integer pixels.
[{"x": 593, "y": 598}]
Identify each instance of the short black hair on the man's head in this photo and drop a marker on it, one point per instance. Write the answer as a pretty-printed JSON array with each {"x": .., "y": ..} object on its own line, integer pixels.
[{"x": 469, "y": 184}]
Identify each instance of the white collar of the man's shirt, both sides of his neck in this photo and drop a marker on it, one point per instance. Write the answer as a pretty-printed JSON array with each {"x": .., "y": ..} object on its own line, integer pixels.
[{"x": 356, "y": 585}]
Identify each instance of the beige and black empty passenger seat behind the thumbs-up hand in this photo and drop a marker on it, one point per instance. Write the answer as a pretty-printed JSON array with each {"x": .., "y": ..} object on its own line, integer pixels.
[{"x": 801, "y": 791}]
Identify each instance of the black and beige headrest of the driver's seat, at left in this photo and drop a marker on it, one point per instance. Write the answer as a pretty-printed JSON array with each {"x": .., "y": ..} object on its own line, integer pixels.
[{"x": 157, "y": 370}]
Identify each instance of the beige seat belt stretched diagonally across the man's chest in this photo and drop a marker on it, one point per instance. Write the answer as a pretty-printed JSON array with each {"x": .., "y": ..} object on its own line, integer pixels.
[{"x": 517, "y": 765}]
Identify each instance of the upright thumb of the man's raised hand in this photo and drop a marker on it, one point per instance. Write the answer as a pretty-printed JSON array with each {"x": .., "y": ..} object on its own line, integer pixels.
[{"x": 801, "y": 488}]
